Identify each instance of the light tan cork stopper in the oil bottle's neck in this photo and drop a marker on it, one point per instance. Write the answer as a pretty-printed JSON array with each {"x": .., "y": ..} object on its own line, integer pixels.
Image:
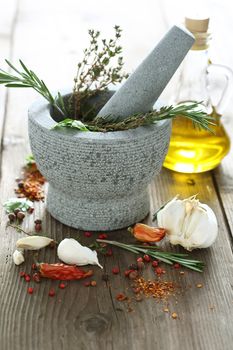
[{"x": 199, "y": 28}]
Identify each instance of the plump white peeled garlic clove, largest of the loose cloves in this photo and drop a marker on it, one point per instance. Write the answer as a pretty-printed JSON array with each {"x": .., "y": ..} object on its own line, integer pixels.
[{"x": 72, "y": 252}]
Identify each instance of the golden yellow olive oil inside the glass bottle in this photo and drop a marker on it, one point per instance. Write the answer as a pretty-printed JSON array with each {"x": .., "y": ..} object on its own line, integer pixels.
[{"x": 196, "y": 151}]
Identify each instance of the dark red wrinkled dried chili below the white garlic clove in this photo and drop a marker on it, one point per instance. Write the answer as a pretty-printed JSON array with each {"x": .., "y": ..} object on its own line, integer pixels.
[{"x": 62, "y": 272}]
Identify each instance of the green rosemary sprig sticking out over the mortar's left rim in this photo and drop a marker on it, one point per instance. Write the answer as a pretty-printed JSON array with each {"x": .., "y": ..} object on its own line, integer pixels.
[{"x": 27, "y": 78}]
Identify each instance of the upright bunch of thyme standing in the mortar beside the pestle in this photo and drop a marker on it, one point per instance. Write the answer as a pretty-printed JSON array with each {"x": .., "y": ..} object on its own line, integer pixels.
[{"x": 101, "y": 66}]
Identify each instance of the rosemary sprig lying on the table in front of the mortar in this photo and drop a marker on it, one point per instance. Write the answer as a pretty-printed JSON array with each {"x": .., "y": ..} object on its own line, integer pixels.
[{"x": 154, "y": 252}]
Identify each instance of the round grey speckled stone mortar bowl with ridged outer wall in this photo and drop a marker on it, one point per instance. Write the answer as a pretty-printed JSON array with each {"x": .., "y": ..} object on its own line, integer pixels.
[{"x": 97, "y": 181}]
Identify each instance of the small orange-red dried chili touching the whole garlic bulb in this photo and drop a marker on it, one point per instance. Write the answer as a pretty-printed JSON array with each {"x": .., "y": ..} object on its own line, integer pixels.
[{"x": 145, "y": 233}]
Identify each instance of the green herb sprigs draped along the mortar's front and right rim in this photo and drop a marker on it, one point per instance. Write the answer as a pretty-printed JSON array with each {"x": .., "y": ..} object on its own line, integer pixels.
[{"x": 199, "y": 118}]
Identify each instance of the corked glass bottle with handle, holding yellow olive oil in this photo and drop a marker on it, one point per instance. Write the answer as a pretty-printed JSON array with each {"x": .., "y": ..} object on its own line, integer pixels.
[{"x": 191, "y": 150}]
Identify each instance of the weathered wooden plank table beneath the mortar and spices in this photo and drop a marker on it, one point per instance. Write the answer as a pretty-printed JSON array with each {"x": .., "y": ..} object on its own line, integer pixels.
[{"x": 49, "y": 37}]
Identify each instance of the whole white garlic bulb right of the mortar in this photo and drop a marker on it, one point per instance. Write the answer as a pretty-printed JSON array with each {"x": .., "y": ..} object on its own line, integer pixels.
[{"x": 189, "y": 223}]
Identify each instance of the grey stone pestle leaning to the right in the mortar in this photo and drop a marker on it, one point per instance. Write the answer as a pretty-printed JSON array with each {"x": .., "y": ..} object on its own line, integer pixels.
[{"x": 146, "y": 83}]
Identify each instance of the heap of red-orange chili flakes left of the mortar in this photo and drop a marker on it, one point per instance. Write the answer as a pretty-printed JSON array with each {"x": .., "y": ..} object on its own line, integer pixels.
[{"x": 31, "y": 185}]
